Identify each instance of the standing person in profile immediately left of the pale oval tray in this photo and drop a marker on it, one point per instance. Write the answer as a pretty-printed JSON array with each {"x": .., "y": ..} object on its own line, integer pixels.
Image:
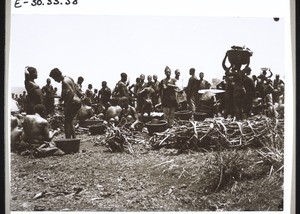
[{"x": 192, "y": 90}]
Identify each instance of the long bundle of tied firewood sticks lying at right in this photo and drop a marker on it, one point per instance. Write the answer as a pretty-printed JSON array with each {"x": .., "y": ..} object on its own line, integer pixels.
[{"x": 218, "y": 132}]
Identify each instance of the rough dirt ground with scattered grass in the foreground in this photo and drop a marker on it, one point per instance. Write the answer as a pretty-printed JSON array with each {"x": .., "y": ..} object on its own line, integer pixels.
[{"x": 95, "y": 179}]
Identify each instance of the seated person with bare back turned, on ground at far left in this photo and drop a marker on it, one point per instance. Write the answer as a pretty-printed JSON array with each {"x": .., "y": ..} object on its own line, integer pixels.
[{"x": 36, "y": 133}]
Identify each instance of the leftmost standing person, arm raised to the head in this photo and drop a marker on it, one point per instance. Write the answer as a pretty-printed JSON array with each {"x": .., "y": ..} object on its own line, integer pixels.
[{"x": 34, "y": 93}]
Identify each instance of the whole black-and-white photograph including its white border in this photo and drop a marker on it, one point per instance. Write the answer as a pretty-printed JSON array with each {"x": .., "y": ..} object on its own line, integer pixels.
[{"x": 148, "y": 112}]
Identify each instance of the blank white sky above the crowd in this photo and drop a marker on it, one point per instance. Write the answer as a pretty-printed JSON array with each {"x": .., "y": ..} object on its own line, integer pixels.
[{"x": 101, "y": 47}]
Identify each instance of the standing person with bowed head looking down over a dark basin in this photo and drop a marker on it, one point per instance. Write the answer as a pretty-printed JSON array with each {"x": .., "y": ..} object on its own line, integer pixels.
[{"x": 70, "y": 95}]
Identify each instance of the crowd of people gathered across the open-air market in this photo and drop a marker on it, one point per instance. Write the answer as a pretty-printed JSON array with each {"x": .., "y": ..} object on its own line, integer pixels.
[{"x": 240, "y": 95}]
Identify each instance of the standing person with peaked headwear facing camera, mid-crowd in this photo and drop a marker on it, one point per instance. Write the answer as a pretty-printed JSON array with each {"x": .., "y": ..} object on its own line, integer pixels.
[{"x": 168, "y": 96}]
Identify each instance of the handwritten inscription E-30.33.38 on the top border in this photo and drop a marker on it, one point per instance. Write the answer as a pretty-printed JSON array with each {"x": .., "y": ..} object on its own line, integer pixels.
[{"x": 33, "y": 3}]
